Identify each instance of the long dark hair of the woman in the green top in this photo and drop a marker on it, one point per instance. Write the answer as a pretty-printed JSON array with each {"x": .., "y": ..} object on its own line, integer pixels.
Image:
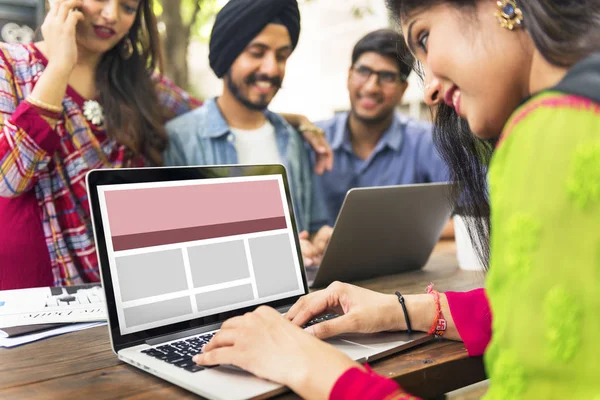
[{"x": 564, "y": 32}]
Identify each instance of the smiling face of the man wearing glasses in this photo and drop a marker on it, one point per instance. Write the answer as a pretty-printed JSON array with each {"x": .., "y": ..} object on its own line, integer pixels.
[{"x": 375, "y": 87}]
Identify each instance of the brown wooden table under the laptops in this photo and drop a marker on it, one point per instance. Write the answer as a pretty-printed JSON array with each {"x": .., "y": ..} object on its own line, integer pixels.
[{"x": 81, "y": 365}]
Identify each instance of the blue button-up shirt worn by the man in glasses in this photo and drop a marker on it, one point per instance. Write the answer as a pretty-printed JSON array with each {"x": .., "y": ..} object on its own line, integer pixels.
[{"x": 405, "y": 154}]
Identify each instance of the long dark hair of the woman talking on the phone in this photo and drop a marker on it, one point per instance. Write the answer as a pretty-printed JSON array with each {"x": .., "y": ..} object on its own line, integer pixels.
[{"x": 127, "y": 90}]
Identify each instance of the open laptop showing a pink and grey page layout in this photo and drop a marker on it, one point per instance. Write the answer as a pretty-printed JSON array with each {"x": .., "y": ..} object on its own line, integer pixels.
[{"x": 183, "y": 249}]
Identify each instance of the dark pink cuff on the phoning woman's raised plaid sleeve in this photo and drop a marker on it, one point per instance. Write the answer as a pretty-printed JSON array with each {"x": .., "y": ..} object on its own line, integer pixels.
[{"x": 29, "y": 120}]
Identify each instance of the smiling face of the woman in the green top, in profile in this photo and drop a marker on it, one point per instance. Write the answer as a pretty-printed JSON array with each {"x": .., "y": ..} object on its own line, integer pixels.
[{"x": 471, "y": 63}]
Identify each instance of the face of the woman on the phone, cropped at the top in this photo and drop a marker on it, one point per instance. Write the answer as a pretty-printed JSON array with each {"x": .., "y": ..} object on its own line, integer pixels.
[{"x": 106, "y": 23}]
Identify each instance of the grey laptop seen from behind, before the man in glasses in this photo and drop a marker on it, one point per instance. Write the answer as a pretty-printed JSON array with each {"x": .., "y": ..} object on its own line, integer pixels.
[{"x": 382, "y": 231}]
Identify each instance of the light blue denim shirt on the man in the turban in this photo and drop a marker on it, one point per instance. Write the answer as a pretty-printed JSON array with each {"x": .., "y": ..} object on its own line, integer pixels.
[{"x": 202, "y": 137}]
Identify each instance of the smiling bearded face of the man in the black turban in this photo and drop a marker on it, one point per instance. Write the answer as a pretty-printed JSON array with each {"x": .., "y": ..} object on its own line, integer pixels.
[{"x": 256, "y": 75}]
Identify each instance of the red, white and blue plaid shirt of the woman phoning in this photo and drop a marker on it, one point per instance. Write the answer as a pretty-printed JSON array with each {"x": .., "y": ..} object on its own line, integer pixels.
[{"x": 53, "y": 162}]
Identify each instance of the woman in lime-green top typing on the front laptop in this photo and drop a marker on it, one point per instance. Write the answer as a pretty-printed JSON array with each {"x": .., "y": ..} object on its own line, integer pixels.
[{"x": 525, "y": 75}]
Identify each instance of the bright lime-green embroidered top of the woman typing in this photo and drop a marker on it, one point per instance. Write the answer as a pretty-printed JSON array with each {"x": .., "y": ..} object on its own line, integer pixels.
[{"x": 544, "y": 279}]
